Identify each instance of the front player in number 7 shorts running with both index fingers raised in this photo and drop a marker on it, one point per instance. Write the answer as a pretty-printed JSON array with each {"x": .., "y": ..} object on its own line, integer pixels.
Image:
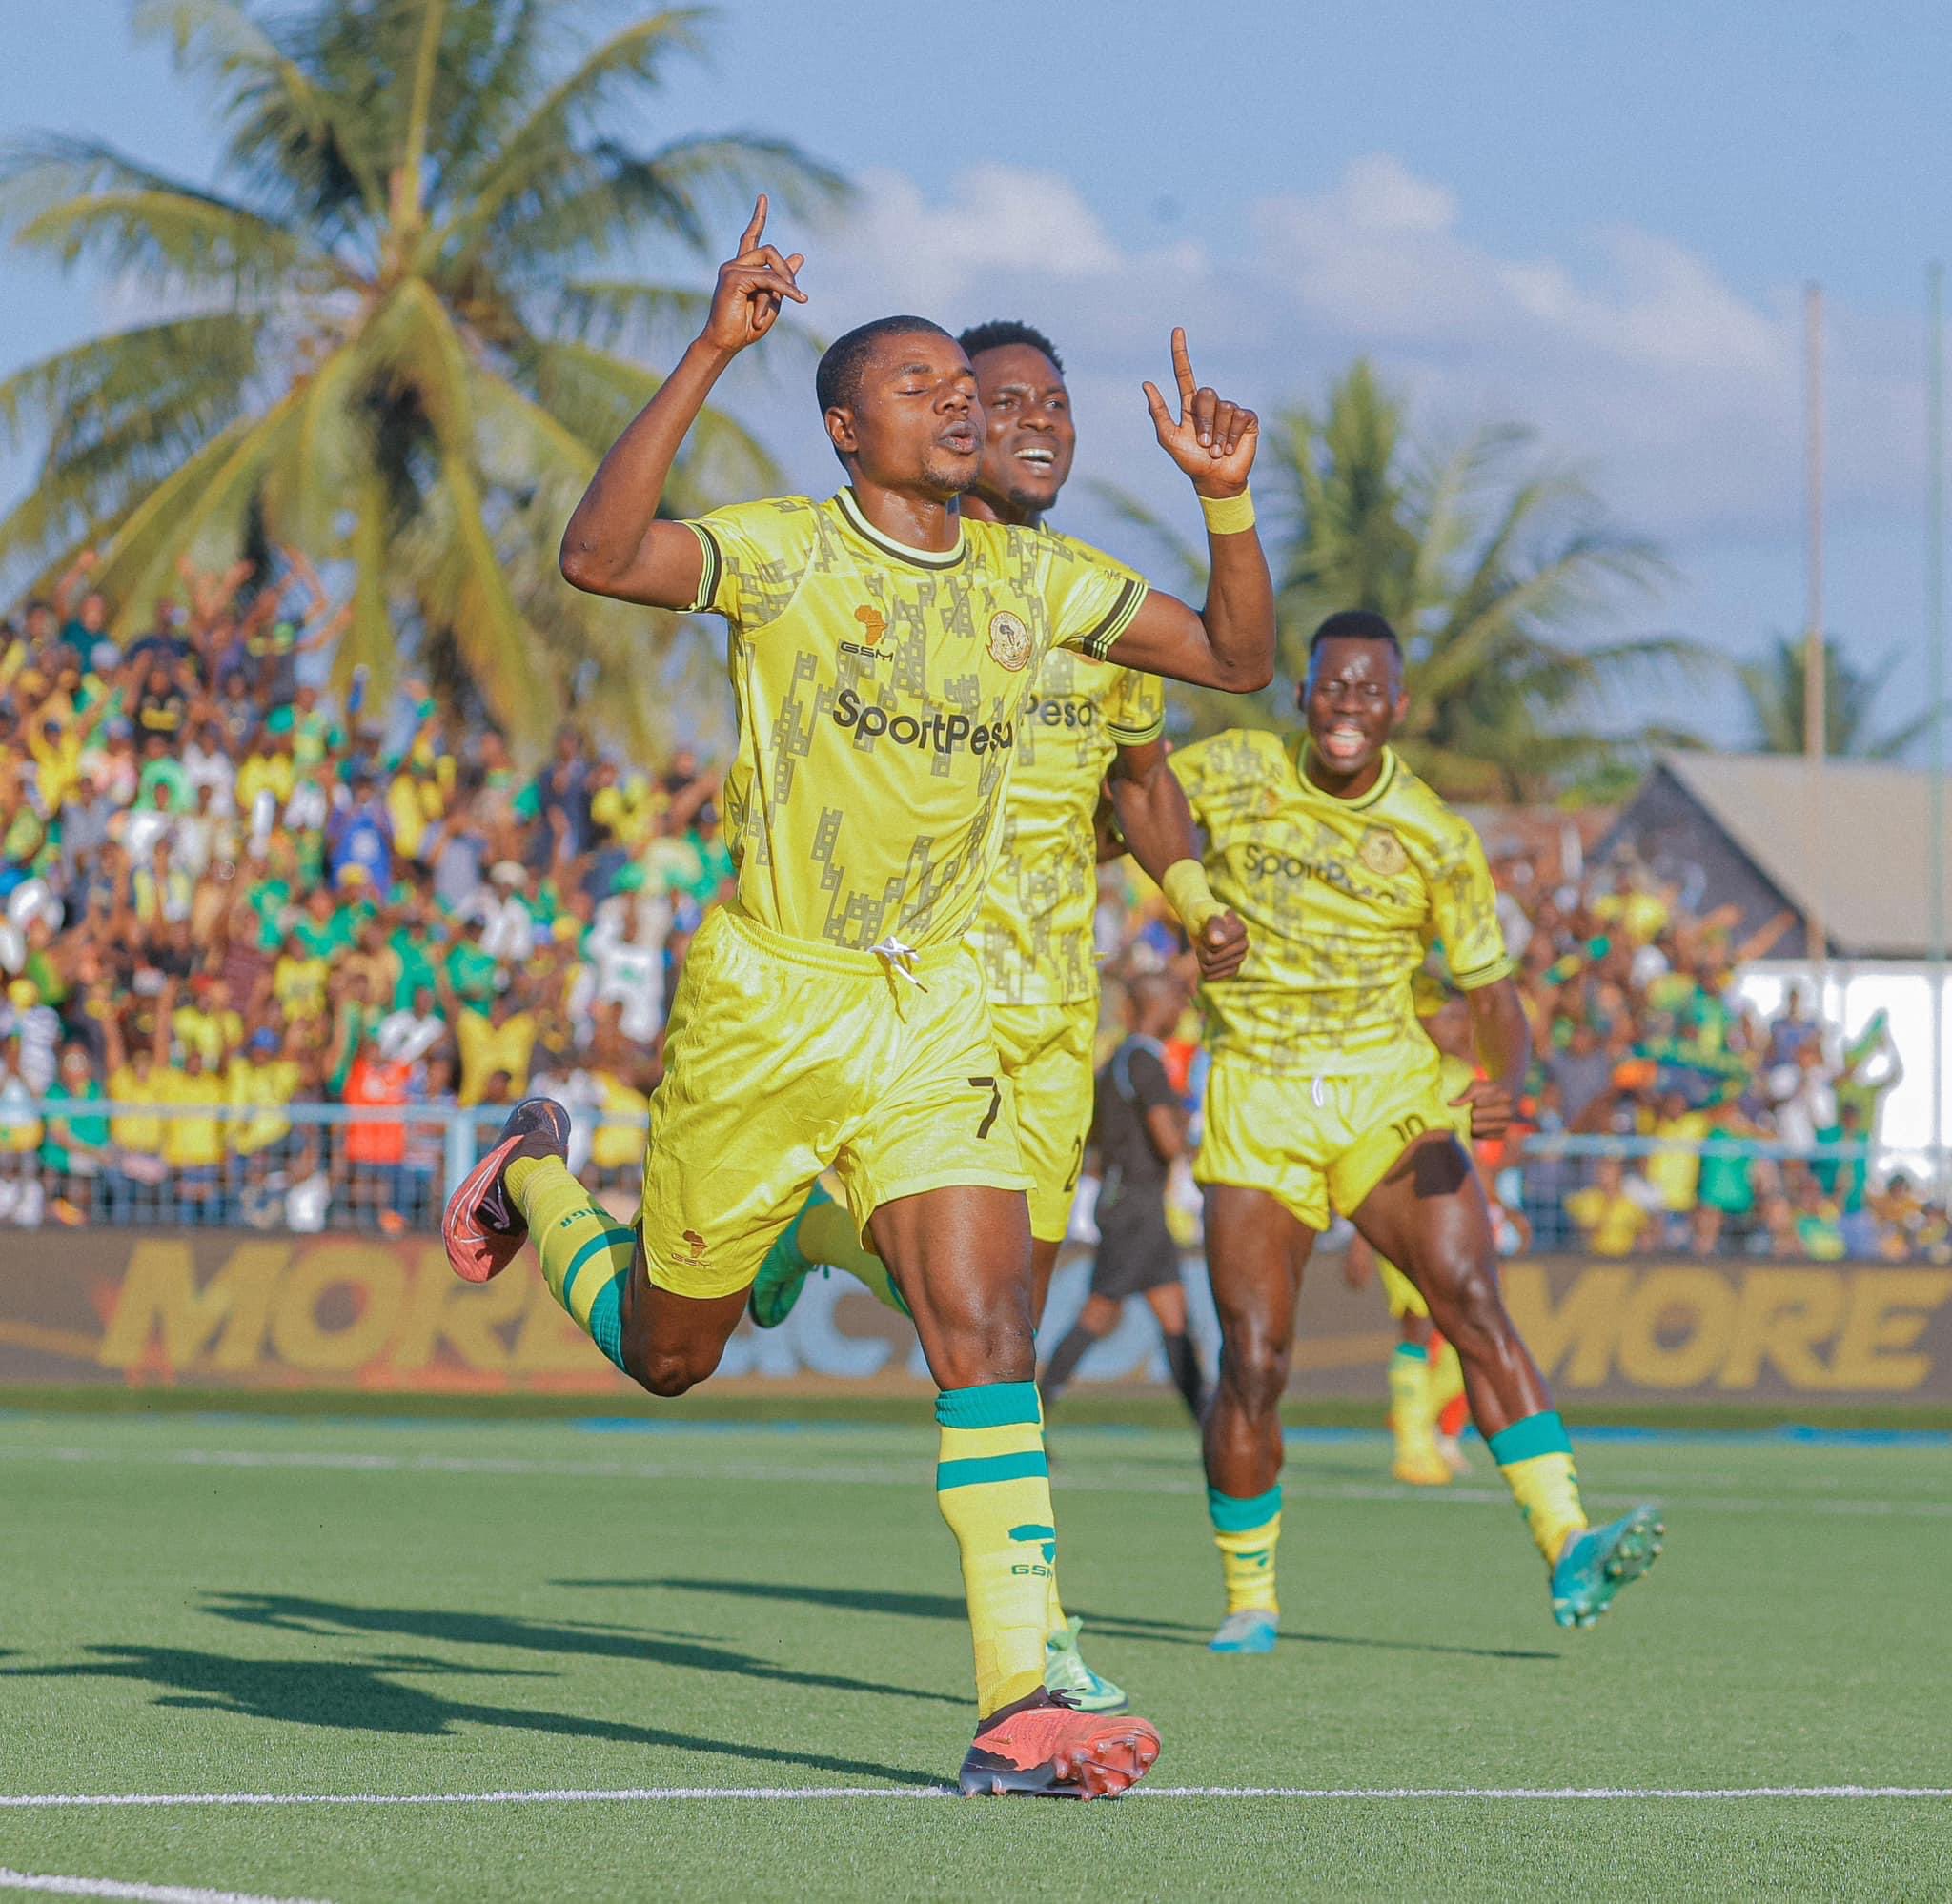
[{"x": 833, "y": 1015}]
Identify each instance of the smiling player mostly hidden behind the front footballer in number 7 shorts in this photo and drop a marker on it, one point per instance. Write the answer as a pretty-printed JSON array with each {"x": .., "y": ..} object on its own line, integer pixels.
[{"x": 1090, "y": 725}]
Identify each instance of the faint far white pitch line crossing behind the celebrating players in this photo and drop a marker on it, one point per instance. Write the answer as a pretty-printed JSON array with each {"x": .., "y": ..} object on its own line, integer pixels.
[{"x": 774, "y": 1474}]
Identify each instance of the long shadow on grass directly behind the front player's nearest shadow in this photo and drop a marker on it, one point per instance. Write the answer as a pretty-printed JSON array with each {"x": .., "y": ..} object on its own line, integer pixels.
[{"x": 300, "y": 1614}]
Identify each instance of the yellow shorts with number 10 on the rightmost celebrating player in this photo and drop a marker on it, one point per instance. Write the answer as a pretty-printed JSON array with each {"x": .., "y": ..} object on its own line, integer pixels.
[{"x": 1319, "y": 1142}]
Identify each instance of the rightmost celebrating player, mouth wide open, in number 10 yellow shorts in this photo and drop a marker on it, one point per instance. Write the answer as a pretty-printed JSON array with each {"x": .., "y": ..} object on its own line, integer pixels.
[{"x": 1326, "y": 1093}]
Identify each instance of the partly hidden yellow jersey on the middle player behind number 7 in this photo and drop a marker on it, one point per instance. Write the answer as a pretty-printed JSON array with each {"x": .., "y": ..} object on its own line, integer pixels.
[{"x": 1036, "y": 930}]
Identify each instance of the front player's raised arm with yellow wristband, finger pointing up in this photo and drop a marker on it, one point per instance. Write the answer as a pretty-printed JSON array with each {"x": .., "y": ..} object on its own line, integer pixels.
[{"x": 1231, "y": 643}]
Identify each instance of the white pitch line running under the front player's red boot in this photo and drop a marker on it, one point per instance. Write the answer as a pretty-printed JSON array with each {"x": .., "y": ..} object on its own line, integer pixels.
[{"x": 813, "y": 1794}]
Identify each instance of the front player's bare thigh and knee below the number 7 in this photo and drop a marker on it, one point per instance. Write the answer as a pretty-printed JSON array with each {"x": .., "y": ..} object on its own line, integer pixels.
[{"x": 961, "y": 1259}]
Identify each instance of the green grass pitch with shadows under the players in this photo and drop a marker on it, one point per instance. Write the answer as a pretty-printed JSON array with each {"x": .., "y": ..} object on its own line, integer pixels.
[{"x": 409, "y": 1610}]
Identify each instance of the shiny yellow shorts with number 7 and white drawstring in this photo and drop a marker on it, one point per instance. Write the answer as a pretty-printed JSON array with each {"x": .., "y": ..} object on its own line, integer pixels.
[{"x": 786, "y": 1058}]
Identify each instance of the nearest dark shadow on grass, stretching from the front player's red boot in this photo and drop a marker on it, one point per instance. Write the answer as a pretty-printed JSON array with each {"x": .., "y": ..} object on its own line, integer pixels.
[{"x": 360, "y": 1698}]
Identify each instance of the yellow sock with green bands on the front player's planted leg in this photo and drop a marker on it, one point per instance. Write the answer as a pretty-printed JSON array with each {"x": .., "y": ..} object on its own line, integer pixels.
[{"x": 993, "y": 1486}]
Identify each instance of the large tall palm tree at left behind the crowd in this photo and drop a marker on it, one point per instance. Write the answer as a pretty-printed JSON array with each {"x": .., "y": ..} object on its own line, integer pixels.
[{"x": 391, "y": 335}]
